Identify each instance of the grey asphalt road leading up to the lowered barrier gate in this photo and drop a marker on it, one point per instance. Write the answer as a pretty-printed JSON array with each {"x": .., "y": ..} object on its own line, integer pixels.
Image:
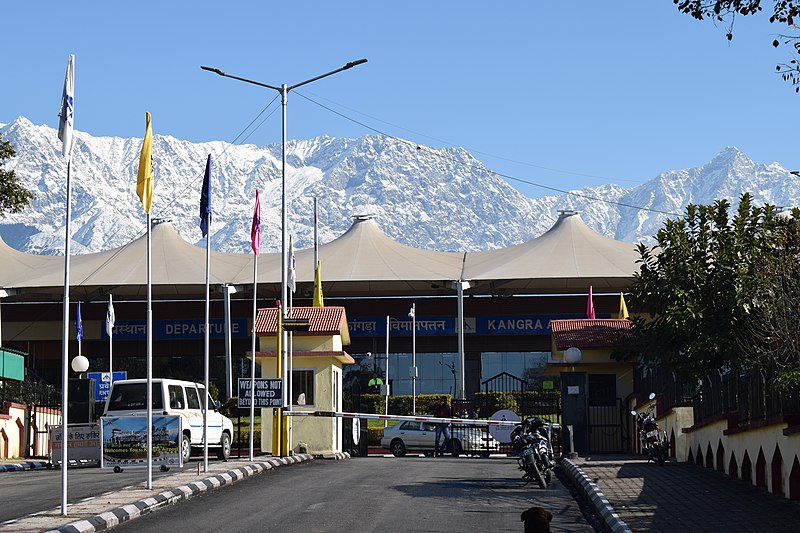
[{"x": 372, "y": 494}]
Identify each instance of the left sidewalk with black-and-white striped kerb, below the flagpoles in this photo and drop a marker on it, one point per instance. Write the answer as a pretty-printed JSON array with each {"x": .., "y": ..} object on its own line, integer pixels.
[{"x": 100, "y": 513}]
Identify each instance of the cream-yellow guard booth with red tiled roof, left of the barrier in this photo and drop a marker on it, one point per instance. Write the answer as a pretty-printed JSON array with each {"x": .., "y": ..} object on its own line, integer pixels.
[{"x": 316, "y": 360}]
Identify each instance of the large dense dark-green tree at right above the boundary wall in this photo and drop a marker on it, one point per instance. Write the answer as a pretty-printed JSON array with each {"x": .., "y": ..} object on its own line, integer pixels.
[{"x": 714, "y": 286}]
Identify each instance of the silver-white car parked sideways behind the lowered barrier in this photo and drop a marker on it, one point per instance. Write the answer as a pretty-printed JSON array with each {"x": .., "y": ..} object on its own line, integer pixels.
[{"x": 420, "y": 436}]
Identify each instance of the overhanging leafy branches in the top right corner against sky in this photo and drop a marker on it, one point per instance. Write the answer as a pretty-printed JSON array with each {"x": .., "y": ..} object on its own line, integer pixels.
[{"x": 725, "y": 11}]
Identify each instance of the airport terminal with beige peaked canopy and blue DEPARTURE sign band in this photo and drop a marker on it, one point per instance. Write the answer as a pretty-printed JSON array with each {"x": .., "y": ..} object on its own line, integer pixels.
[{"x": 505, "y": 299}]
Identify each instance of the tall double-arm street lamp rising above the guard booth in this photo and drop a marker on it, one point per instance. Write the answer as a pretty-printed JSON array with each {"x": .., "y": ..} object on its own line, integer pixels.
[{"x": 284, "y": 90}]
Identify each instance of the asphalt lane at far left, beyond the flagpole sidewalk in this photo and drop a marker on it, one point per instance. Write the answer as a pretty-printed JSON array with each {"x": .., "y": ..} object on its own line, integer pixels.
[{"x": 32, "y": 491}]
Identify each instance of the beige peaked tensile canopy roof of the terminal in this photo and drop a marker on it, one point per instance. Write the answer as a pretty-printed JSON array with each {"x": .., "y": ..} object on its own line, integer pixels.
[{"x": 363, "y": 261}]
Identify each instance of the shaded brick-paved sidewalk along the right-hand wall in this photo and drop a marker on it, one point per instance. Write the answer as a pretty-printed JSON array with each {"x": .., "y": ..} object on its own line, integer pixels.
[{"x": 682, "y": 497}]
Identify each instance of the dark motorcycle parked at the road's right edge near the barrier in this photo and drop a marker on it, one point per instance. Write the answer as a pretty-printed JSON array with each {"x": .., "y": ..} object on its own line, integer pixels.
[{"x": 531, "y": 442}]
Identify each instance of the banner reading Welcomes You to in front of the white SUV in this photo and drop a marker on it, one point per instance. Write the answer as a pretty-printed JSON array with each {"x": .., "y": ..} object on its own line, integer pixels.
[{"x": 124, "y": 440}]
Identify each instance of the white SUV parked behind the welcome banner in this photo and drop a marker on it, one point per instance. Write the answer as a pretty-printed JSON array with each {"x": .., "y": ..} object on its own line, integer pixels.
[{"x": 128, "y": 397}]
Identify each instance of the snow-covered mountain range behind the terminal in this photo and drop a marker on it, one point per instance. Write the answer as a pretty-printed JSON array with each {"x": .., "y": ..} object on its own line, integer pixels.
[{"x": 440, "y": 199}]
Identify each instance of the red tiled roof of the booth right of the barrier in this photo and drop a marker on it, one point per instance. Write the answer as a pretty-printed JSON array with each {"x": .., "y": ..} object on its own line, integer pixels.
[{"x": 588, "y": 333}]
